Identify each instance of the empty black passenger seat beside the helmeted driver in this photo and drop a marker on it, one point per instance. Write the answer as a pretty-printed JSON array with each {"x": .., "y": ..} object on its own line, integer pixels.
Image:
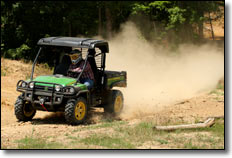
[{"x": 63, "y": 67}]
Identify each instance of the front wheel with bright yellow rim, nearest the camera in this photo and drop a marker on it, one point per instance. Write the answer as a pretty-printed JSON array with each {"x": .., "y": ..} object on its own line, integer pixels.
[{"x": 76, "y": 111}]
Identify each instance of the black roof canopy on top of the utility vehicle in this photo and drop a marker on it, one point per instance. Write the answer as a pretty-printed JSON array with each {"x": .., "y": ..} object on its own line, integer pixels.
[{"x": 74, "y": 42}]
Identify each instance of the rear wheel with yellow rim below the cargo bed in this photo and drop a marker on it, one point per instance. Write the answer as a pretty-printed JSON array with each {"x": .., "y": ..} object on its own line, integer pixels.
[{"x": 115, "y": 103}]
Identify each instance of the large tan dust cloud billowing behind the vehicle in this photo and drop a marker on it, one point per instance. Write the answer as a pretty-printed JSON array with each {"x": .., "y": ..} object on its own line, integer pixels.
[{"x": 156, "y": 77}]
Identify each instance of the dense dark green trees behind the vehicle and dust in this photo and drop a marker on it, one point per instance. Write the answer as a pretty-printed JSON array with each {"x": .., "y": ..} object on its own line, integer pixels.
[{"x": 23, "y": 23}]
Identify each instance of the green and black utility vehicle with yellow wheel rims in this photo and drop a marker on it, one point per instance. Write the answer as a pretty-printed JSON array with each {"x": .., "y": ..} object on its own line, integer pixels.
[{"x": 58, "y": 92}]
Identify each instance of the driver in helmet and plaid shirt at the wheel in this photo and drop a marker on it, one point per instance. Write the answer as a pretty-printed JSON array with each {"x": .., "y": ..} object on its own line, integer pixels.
[{"x": 76, "y": 67}]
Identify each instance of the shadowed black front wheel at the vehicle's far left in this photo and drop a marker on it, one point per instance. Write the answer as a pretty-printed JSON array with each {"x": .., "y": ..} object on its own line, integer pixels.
[{"x": 24, "y": 110}]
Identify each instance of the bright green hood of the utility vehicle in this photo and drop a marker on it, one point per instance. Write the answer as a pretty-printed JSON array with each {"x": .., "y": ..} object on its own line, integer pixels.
[{"x": 64, "y": 81}]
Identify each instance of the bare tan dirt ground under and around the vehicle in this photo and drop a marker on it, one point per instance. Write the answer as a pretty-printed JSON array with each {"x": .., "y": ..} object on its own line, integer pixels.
[{"x": 53, "y": 125}]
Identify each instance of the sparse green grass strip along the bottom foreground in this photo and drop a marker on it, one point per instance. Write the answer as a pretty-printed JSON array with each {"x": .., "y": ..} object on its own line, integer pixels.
[{"x": 120, "y": 135}]
